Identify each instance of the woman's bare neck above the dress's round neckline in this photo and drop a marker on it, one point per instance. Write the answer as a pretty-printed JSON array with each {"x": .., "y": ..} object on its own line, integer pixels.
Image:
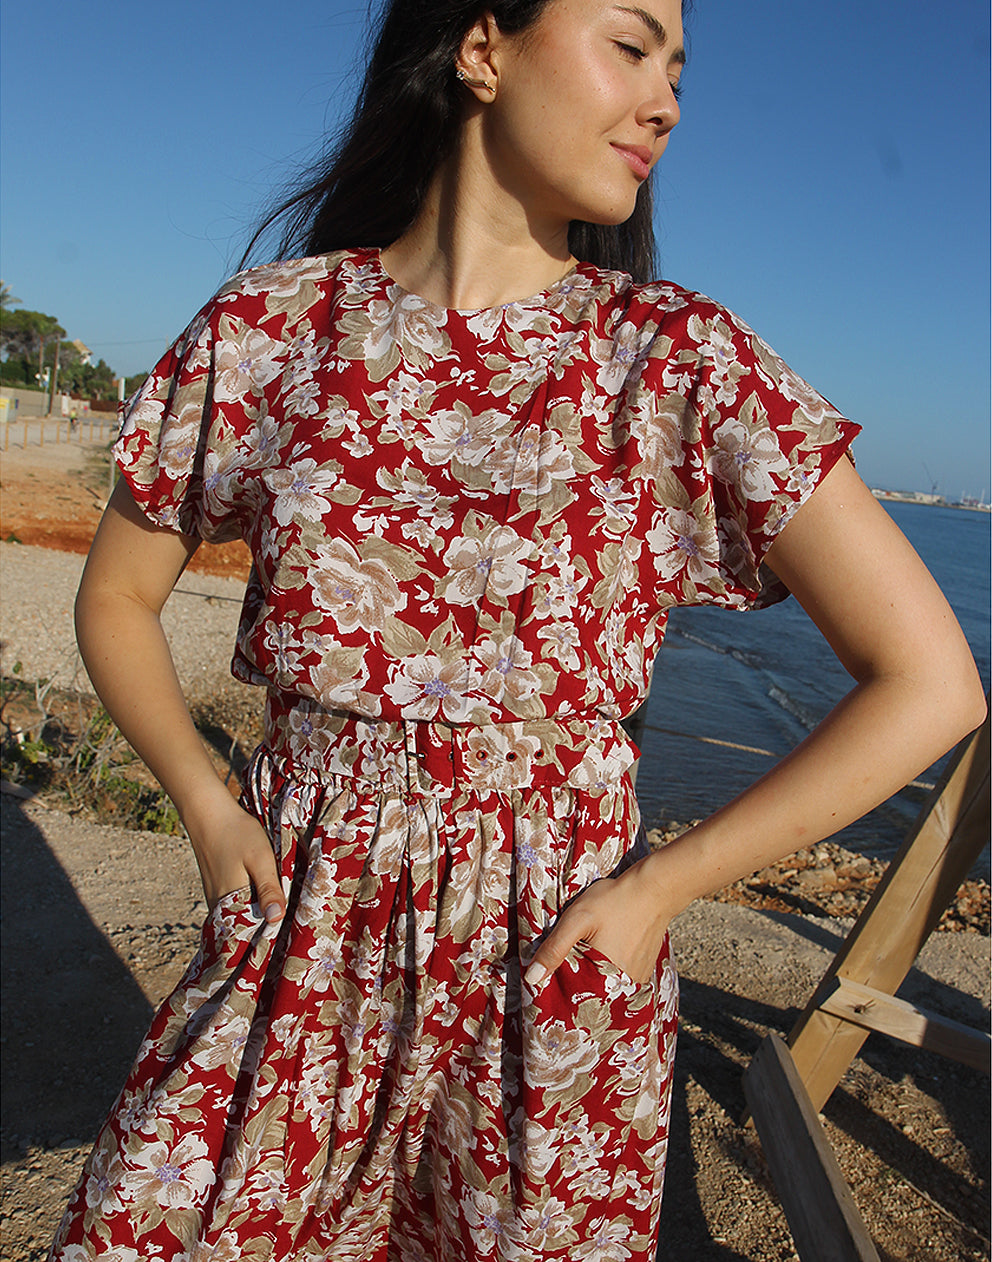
[{"x": 473, "y": 247}]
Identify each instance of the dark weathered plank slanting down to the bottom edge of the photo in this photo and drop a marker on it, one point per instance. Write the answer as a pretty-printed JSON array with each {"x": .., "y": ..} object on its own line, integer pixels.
[{"x": 822, "y": 1215}]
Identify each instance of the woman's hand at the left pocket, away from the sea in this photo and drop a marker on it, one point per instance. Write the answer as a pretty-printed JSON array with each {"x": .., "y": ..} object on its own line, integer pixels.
[{"x": 234, "y": 851}]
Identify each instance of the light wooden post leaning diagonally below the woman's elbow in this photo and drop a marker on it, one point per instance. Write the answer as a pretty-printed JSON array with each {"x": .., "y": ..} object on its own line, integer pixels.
[{"x": 904, "y": 911}]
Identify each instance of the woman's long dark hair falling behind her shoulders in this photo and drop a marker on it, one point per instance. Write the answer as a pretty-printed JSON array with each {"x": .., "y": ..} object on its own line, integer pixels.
[{"x": 370, "y": 187}]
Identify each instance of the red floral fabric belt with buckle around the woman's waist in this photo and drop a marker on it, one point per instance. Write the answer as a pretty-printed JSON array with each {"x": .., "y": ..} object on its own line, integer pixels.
[{"x": 421, "y": 757}]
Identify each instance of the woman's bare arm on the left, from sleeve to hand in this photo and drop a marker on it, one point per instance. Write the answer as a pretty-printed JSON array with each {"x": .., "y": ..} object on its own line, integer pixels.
[{"x": 132, "y": 569}]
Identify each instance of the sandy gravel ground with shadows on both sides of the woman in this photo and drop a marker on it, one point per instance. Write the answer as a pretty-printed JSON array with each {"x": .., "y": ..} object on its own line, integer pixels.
[{"x": 99, "y": 923}]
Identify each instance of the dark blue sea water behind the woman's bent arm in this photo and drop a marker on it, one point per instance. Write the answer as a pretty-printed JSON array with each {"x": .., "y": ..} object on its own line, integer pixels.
[{"x": 734, "y": 692}]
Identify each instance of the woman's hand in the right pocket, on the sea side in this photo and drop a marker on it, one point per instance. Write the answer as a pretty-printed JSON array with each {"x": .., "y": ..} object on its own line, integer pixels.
[{"x": 622, "y": 917}]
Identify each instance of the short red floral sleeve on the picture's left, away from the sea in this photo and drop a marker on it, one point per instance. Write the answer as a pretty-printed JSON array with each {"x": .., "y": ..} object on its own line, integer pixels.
[{"x": 177, "y": 447}]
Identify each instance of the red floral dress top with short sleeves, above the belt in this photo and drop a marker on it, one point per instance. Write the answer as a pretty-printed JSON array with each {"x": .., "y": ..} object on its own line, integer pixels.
[{"x": 474, "y": 517}]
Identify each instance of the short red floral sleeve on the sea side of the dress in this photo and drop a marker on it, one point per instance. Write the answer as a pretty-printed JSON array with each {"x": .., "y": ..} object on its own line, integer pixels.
[{"x": 749, "y": 442}]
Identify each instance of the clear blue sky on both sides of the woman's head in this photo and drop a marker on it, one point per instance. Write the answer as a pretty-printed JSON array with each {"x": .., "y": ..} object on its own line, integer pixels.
[{"x": 829, "y": 182}]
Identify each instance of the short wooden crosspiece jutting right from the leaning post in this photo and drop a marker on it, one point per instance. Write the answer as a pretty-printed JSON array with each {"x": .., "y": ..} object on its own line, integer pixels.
[{"x": 887, "y": 1014}]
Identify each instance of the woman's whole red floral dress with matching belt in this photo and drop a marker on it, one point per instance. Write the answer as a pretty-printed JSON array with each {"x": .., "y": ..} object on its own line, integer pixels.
[{"x": 468, "y": 531}]
